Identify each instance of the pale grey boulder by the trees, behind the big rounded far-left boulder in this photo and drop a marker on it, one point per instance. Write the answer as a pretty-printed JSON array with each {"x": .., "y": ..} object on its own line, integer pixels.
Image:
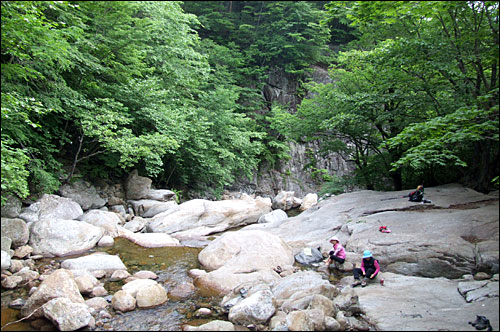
[{"x": 52, "y": 207}]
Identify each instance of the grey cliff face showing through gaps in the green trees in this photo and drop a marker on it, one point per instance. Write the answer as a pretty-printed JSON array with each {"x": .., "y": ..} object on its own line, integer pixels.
[{"x": 294, "y": 174}]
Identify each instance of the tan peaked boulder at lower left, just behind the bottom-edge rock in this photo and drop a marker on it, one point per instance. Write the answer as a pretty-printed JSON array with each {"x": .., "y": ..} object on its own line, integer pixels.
[{"x": 59, "y": 283}]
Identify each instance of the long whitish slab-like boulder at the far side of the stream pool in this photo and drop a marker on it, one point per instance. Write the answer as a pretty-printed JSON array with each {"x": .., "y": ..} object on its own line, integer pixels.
[{"x": 196, "y": 218}]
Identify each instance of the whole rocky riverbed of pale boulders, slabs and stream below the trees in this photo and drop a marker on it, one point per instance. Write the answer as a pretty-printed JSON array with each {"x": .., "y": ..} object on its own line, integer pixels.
[{"x": 131, "y": 258}]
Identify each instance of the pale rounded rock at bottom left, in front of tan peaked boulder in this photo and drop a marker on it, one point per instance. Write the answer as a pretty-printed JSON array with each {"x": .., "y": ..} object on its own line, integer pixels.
[{"x": 67, "y": 315}]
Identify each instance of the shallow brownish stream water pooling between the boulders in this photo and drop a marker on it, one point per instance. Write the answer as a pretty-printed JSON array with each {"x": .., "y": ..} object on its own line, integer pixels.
[{"x": 171, "y": 264}]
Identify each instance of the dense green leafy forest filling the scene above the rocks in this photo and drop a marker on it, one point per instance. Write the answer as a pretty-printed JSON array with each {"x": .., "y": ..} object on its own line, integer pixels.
[{"x": 94, "y": 89}]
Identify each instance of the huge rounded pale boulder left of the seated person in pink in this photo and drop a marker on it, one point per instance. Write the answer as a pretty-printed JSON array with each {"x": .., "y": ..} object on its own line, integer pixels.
[{"x": 240, "y": 257}]
